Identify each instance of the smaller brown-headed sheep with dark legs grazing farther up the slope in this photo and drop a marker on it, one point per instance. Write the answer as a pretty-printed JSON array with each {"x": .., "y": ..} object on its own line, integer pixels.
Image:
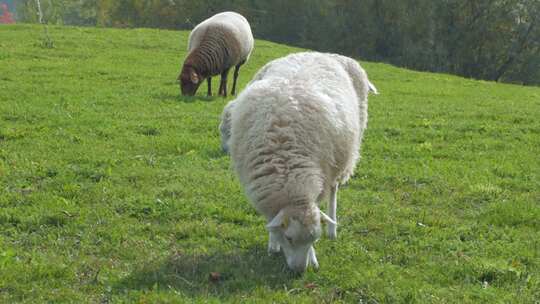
[{"x": 215, "y": 45}]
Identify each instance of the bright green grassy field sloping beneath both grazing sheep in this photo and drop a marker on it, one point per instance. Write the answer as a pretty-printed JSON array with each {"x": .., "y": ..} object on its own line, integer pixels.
[{"x": 113, "y": 188}]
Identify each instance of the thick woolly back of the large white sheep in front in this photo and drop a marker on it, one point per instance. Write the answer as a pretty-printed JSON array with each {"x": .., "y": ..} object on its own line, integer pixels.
[{"x": 300, "y": 117}]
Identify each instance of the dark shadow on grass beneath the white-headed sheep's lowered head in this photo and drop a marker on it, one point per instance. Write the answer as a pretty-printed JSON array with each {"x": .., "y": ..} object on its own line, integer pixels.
[{"x": 216, "y": 274}]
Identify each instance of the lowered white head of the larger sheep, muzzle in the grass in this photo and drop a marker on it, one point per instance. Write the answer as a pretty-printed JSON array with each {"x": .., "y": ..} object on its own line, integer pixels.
[{"x": 296, "y": 230}]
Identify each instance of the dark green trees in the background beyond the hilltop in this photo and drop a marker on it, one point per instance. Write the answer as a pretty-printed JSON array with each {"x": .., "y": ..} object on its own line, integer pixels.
[{"x": 487, "y": 39}]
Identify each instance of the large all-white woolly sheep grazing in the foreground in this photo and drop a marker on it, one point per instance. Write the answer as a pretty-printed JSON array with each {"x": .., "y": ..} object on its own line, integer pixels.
[{"x": 294, "y": 135}]
